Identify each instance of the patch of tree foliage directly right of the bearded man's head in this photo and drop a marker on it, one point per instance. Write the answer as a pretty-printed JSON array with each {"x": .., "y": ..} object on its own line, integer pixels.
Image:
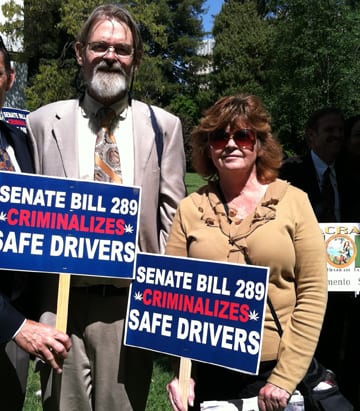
[{"x": 171, "y": 33}]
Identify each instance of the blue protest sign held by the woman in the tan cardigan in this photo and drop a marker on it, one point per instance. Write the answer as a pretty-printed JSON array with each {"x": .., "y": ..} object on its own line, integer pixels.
[{"x": 206, "y": 311}]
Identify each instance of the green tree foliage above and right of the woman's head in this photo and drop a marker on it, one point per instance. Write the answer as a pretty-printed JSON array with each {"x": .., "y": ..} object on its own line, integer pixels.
[{"x": 298, "y": 55}]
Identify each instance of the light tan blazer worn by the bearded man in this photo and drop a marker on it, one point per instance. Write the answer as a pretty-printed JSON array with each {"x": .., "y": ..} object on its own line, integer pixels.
[{"x": 51, "y": 130}]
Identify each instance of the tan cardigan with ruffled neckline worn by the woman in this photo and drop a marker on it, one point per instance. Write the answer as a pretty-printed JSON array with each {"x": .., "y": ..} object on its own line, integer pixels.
[{"x": 283, "y": 234}]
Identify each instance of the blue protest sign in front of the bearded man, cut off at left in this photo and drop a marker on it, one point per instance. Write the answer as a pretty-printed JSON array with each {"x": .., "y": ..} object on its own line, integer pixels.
[{"x": 59, "y": 225}]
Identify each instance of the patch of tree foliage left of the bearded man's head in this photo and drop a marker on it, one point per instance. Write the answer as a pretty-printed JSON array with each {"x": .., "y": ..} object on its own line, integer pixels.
[{"x": 49, "y": 54}]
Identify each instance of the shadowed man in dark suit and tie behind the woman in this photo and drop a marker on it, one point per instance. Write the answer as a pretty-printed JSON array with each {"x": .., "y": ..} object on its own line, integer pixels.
[{"x": 325, "y": 136}]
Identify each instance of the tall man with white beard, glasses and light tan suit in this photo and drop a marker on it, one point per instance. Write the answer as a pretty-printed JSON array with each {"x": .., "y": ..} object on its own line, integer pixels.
[{"x": 100, "y": 373}]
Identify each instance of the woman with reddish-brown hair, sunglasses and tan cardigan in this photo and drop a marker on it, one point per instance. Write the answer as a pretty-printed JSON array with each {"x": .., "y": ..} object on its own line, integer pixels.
[{"x": 246, "y": 215}]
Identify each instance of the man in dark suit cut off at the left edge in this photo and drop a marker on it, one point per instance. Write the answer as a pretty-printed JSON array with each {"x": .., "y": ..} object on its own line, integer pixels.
[{"x": 20, "y": 335}]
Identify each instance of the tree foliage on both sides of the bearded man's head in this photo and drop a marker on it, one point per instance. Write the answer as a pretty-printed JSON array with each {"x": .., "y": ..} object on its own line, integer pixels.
[{"x": 171, "y": 30}]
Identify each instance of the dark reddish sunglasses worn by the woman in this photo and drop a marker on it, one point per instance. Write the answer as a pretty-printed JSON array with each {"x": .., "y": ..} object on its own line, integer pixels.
[{"x": 244, "y": 138}]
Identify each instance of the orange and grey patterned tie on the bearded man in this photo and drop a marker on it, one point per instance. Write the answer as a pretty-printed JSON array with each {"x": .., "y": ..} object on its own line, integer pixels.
[{"x": 107, "y": 157}]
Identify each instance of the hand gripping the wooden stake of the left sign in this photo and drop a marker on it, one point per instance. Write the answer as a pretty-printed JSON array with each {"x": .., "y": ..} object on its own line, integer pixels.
[{"x": 45, "y": 342}]
